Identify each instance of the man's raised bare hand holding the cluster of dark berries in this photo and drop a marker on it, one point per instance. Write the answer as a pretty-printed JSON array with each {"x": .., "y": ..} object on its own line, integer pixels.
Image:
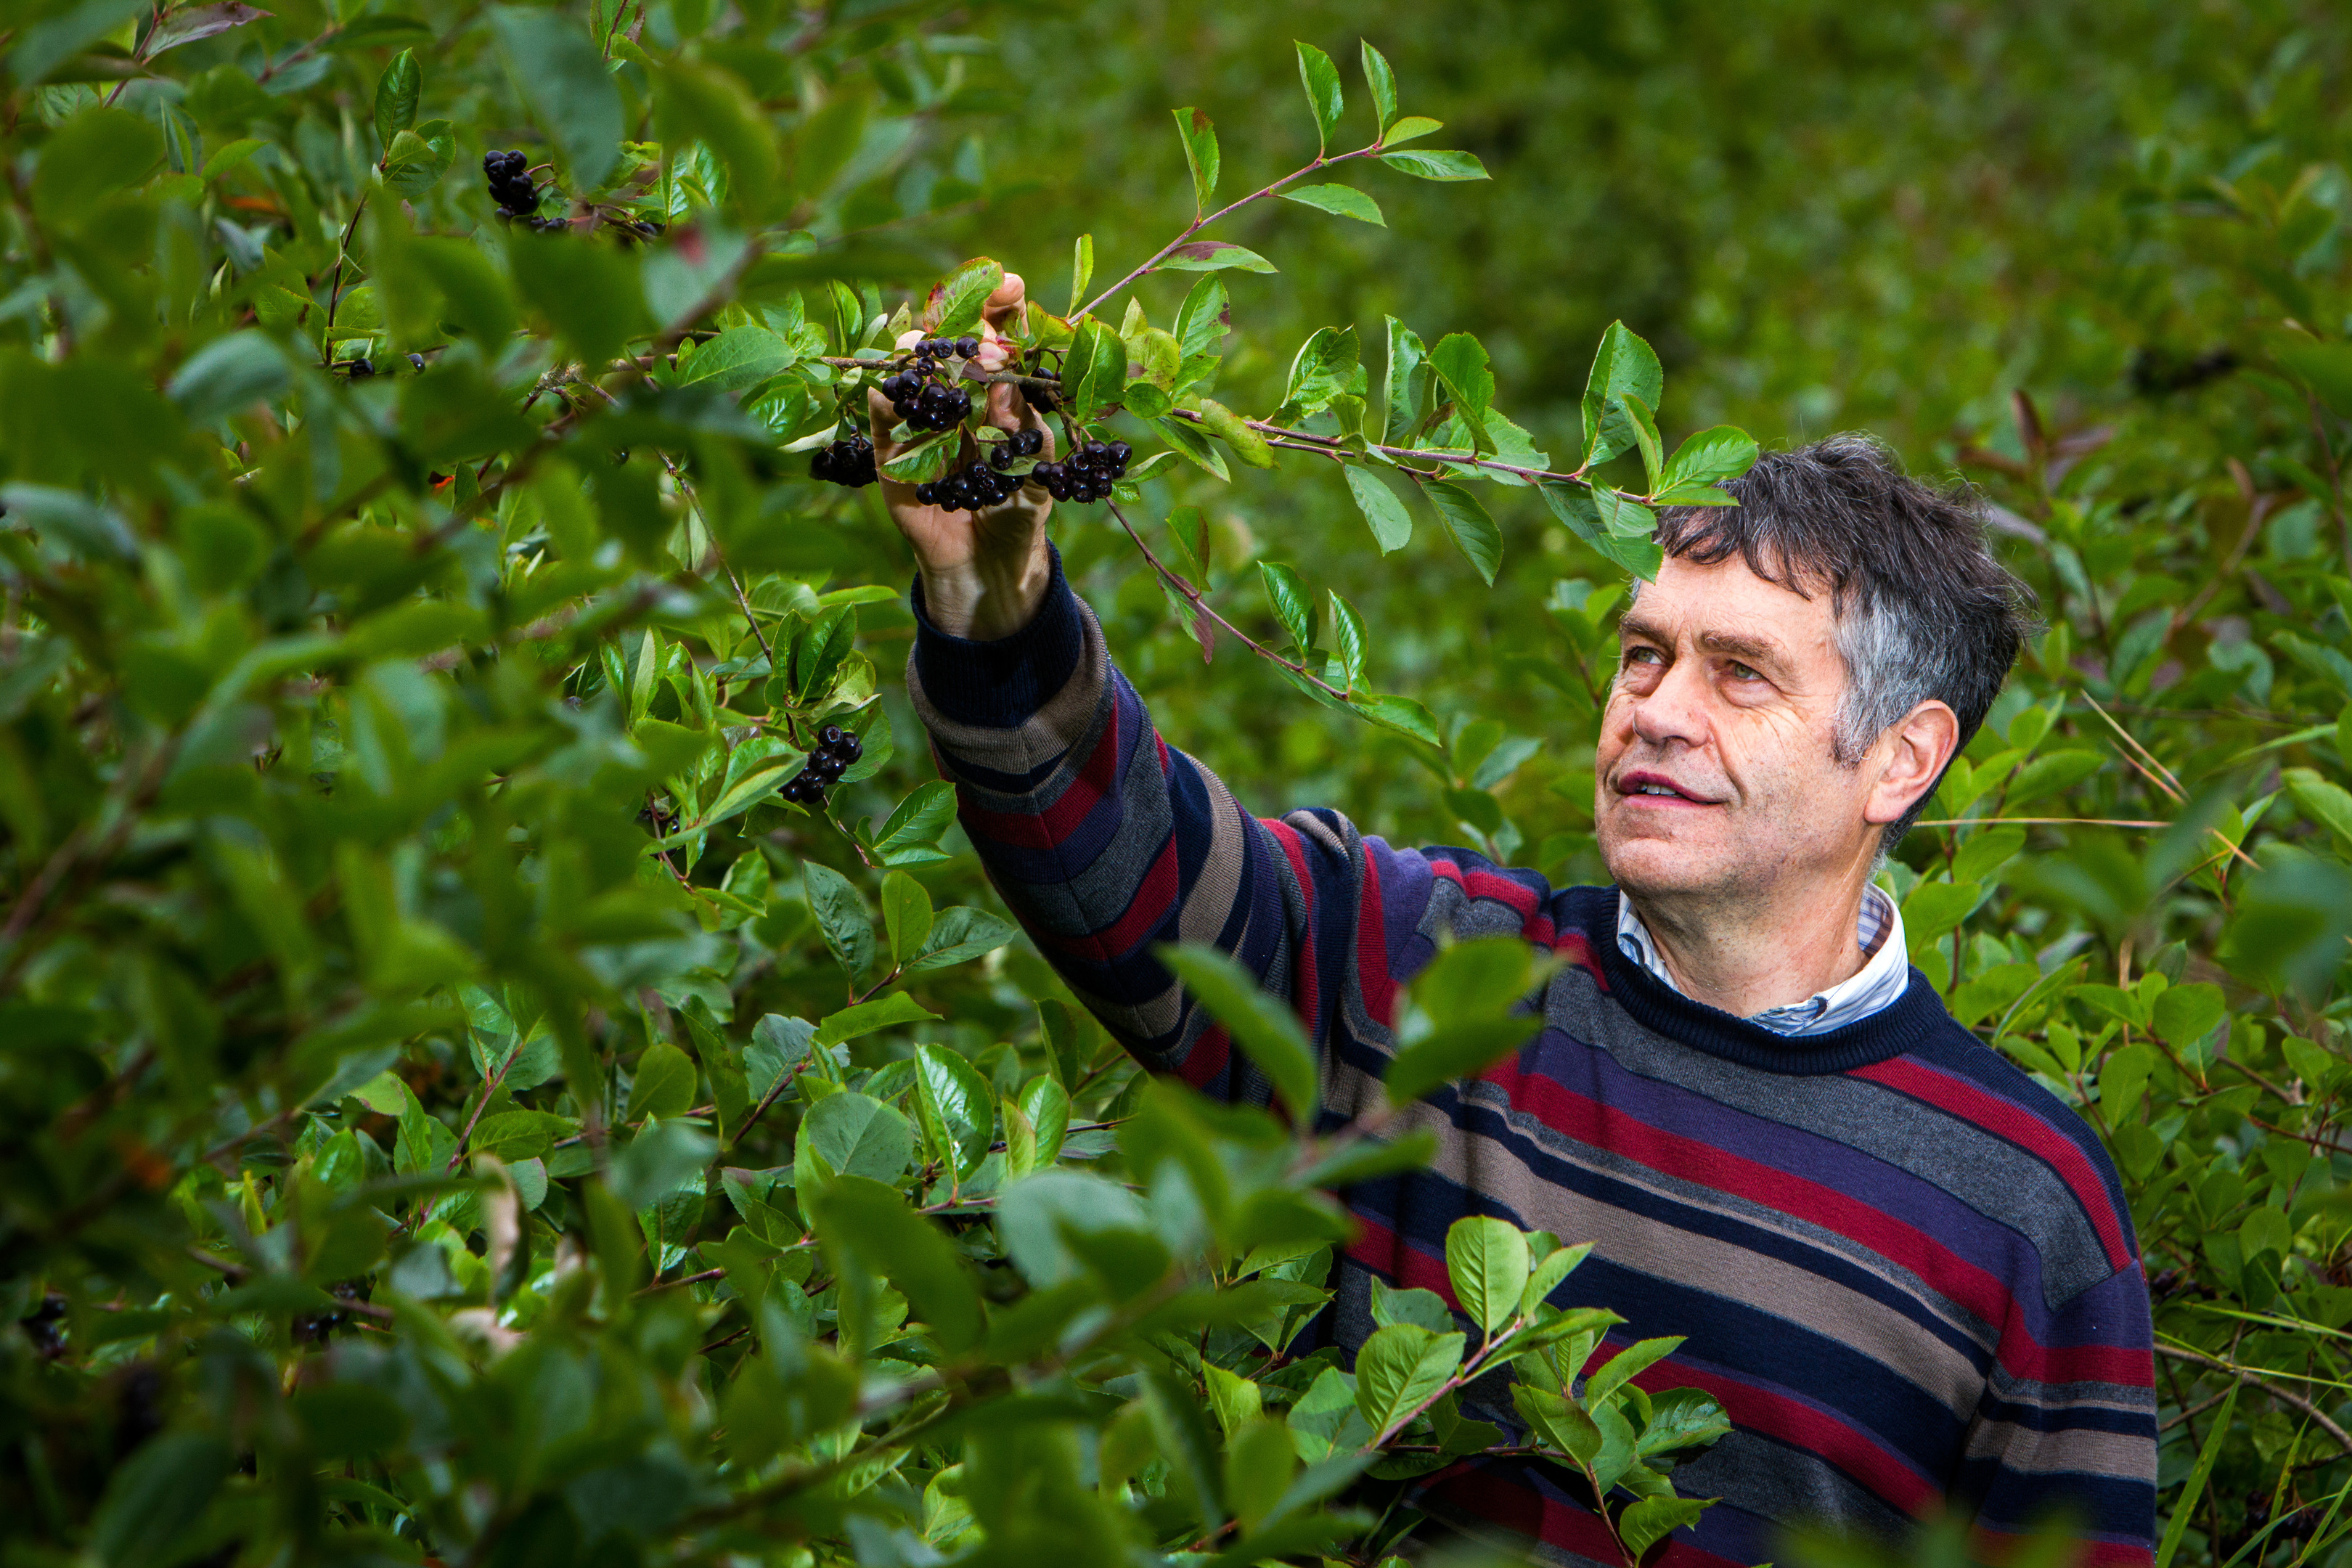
[{"x": 984, "y": 575}]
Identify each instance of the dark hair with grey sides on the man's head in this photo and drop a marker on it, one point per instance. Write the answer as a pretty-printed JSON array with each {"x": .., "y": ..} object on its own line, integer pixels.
[{"x": 1923, "y": 608}]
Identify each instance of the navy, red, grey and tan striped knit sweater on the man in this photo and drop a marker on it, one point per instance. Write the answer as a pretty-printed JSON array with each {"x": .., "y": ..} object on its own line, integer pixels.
[{"x": 1902, "y": 1266}]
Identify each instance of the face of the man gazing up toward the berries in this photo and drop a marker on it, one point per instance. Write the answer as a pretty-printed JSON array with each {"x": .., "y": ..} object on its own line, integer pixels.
[{"x": 1716, "y": 772}]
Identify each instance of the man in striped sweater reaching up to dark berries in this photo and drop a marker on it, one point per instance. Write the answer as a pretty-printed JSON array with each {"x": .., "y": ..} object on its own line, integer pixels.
[{"x": 1904, "y": 1268}]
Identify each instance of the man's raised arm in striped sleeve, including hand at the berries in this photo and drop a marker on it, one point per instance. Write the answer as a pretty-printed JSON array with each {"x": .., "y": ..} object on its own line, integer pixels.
[{"x": 1100, "y": 836}]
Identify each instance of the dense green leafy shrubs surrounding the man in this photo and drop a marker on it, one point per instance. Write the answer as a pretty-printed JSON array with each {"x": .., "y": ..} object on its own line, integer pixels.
[{"x": 462, "y": 1111}]
